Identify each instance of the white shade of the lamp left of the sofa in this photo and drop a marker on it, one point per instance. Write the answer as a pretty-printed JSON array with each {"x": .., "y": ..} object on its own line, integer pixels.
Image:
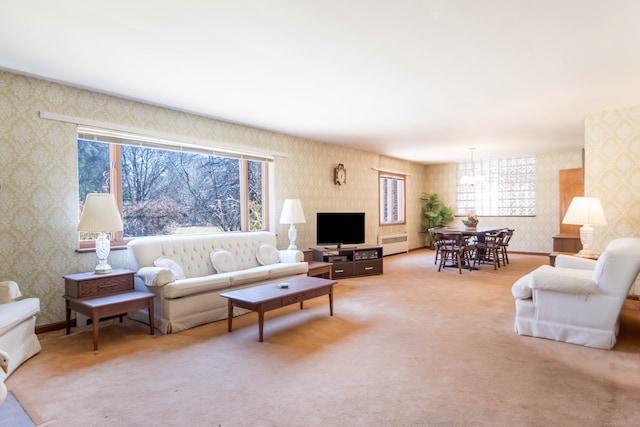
[{"x": 100, "y": 214}]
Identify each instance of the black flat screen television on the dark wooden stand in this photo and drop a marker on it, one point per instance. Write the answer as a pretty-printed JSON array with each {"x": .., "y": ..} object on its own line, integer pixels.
[{"x": 340, "y": 228}]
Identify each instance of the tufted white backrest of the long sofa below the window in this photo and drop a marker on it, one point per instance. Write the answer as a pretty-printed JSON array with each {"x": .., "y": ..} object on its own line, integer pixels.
[{"x": 192, "y": 252}]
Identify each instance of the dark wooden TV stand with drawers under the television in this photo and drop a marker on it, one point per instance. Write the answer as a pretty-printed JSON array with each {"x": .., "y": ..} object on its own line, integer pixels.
[{"x": 351, "y": 261}]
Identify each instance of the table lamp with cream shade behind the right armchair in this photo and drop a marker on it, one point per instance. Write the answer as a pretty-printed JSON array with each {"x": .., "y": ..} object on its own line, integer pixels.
[{"x": 585, "y": 211}]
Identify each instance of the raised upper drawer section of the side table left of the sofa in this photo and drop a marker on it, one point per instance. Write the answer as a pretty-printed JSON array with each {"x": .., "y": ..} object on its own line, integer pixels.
[{"x": 77, "y": 286}]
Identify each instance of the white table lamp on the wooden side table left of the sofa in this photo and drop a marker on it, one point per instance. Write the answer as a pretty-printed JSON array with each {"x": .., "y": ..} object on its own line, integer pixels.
[{"x": 100, "y": 215}]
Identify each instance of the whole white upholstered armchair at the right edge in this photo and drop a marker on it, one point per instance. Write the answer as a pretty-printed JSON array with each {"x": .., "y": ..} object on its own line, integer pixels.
[{"x": 579, "y": 300}]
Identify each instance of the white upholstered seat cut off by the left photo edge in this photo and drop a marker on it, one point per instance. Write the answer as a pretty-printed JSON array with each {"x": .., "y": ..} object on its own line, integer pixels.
[{"x": 17, "y": 326}]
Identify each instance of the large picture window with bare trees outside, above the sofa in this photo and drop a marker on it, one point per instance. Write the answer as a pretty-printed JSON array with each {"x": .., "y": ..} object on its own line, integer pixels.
[{"x": 170, "y": 191}]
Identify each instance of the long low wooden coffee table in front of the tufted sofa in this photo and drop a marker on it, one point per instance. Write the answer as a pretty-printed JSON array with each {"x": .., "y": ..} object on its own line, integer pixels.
[{"x": 271, "y": 296}]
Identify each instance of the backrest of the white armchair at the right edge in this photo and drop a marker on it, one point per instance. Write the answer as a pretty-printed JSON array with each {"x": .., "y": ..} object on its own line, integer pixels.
[{"x": 618, "y": 266}]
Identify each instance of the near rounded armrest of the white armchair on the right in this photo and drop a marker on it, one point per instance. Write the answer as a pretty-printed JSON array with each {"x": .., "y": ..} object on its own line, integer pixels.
[{"x": 561, "y": 280}]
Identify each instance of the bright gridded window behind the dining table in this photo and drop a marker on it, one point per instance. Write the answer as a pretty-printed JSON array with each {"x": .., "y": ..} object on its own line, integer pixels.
[{"x": 504, "y": 187}]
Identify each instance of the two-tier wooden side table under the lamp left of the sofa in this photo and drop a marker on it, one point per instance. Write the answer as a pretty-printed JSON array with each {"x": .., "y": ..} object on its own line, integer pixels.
[{"x": 103, "y": 295}]
